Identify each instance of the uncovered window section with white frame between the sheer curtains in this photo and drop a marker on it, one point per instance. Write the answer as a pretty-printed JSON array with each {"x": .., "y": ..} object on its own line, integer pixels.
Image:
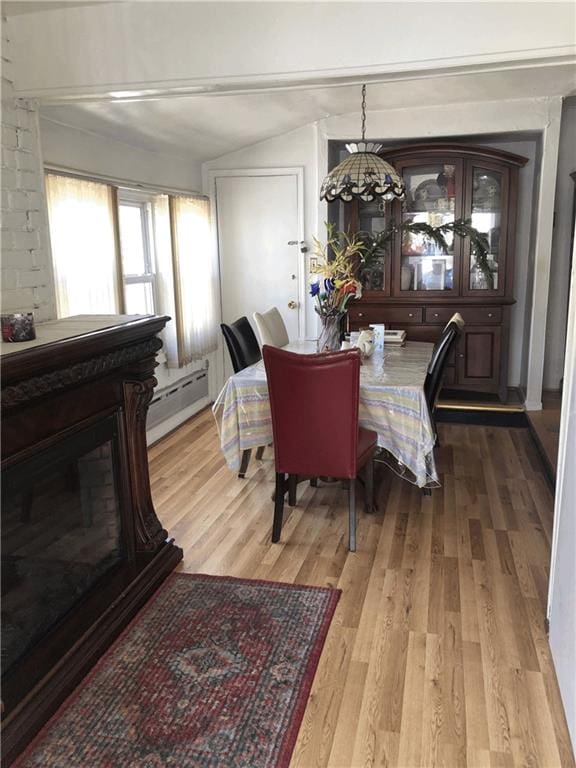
[{"x": 137, "y": 252}]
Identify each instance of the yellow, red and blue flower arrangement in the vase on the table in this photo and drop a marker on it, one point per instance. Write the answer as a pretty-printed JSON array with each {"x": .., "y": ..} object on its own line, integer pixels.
[{"x": 336, "y": 281}]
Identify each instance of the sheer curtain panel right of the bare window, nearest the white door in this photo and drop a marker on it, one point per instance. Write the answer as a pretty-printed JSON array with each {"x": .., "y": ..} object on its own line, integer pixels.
[{"x": 195, "y": 278}]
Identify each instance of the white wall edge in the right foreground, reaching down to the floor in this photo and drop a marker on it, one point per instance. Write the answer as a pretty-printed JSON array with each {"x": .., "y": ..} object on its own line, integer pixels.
[{"x": 562, "y": 590}]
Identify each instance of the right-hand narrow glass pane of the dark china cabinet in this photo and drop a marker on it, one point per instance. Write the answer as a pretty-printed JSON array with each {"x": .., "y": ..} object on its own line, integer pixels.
[{"x": 488, "y": 195}]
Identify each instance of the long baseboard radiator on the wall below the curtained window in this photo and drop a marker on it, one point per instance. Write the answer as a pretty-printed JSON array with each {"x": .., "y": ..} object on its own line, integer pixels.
[{"x": 174, "y": 401}]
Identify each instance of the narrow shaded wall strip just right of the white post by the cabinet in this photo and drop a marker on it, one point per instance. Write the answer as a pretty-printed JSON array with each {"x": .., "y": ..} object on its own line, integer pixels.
[{"x": 563, "y": 230}]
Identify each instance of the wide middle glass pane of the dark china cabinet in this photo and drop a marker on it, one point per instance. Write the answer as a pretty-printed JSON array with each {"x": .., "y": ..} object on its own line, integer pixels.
[{"x": 433, "y": 197}]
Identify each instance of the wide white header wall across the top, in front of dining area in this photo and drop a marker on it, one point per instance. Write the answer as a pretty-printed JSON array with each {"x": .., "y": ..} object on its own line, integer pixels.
[{"x": 107, "y": 46}]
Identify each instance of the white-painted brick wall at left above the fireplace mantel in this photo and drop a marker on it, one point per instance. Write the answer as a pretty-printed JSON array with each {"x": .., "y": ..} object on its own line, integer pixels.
[{"x": 27, "y": 279}]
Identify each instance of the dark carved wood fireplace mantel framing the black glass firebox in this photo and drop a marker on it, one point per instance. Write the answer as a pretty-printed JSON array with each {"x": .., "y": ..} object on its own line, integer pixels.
[{"x": 82, "y": 375}]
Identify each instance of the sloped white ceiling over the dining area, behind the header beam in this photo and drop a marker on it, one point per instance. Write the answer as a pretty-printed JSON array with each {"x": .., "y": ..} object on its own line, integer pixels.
[{"x": 203, "y": 127}]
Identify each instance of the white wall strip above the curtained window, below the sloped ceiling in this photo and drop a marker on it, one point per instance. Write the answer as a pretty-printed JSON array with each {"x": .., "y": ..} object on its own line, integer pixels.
[{"x": 82, "y": 150}]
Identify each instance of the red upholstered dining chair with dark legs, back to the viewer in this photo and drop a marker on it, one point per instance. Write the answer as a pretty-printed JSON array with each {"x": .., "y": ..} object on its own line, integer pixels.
[{"x": 314, "y": 405}]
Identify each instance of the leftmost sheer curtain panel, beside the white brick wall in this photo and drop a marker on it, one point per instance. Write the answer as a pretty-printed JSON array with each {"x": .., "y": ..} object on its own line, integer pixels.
[{"x": 83, "y": 235}]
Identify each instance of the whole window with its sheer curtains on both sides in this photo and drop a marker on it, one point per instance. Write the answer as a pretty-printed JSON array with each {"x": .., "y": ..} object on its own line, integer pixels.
[{"x": 118, "y": 250}]
